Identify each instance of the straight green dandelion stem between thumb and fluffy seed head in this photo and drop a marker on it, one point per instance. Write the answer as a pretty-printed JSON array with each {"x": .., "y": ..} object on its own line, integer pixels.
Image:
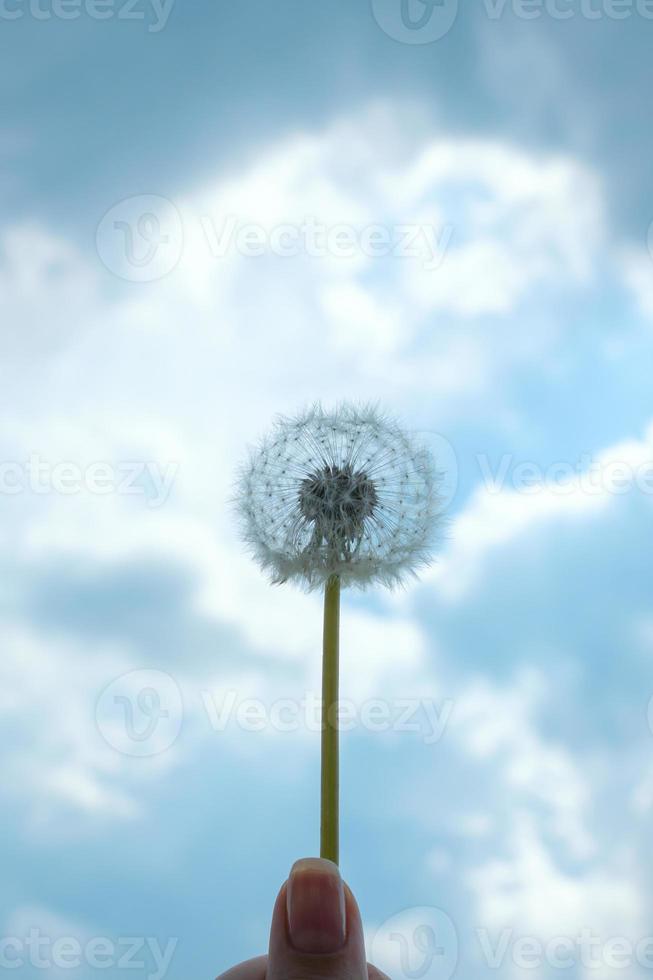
[{"x": 330, "y": 774}]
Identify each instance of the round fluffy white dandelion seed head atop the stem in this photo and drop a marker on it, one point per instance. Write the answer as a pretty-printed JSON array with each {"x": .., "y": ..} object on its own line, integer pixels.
[{"x": 343, "y": 493}]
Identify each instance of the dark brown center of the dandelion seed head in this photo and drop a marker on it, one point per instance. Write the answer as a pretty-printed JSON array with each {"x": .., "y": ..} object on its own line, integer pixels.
[{"x": 337, "y": 500}]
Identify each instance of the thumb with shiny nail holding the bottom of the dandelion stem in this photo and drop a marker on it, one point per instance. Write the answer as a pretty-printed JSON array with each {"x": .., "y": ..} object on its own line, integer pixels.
[{"x": 316, "y": 927}]
